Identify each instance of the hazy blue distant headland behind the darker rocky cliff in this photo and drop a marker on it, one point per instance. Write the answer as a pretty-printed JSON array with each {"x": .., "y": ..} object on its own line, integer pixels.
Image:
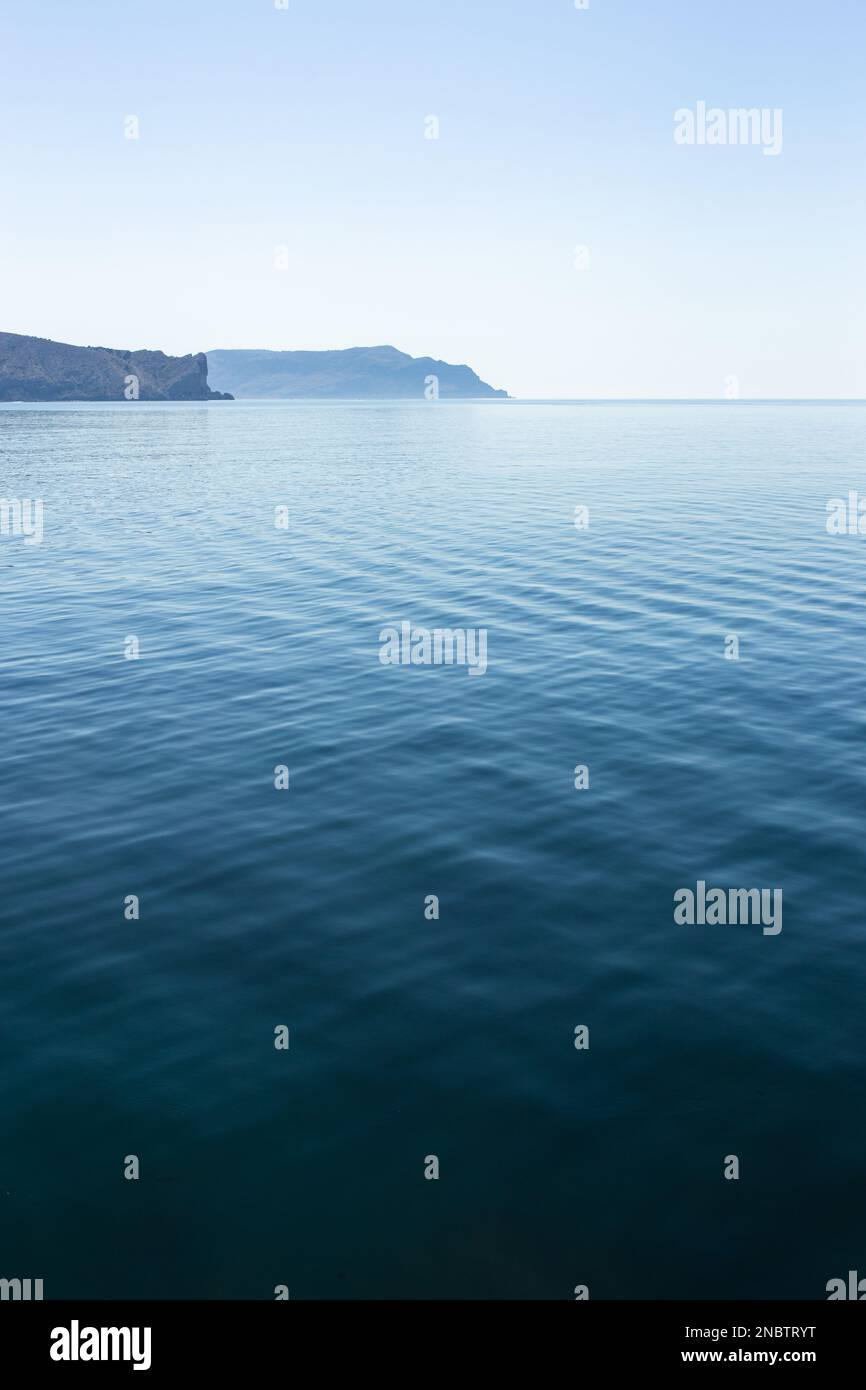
[{"x": 348, "y": 373}]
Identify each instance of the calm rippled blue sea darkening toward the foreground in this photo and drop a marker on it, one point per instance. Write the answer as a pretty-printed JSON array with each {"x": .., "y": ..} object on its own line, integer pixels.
[{"x": 414, "y": 1038}]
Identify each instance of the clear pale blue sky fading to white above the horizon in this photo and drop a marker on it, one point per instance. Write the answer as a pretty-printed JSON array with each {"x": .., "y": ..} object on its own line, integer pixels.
[{"x": 284, "y": 191}]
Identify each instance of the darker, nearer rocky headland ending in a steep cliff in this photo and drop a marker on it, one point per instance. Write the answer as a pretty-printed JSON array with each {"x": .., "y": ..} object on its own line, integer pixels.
[{"x": 40, "y": 369}]
